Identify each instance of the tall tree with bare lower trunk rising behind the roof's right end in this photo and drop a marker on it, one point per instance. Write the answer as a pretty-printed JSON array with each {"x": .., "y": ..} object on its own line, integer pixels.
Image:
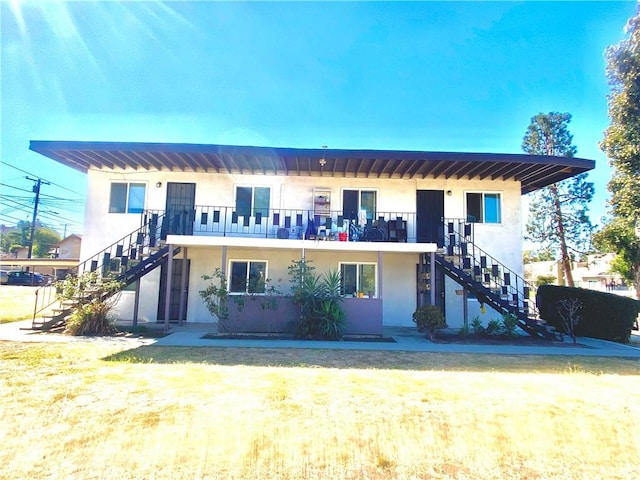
[{"x": 558, "y": 214}]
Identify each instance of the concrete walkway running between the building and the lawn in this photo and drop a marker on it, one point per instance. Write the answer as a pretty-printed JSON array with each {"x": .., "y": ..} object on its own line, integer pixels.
[{"x": 405, "y": 339}]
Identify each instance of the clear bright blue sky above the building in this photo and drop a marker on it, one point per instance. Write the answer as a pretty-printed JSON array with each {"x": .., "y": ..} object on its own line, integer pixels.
[{"x": 454, "y": 76}]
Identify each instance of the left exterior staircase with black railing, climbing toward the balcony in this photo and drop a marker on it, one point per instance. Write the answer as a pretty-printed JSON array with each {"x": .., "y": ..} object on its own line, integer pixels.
[{"x": 126, "y": 261}]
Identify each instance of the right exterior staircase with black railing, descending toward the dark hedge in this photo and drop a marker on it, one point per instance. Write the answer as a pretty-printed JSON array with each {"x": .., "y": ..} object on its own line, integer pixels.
[{"x": 493, "y": 283}]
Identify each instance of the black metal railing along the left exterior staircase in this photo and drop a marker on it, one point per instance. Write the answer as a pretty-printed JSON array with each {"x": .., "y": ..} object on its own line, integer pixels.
[{"x": 115, "y": 259}]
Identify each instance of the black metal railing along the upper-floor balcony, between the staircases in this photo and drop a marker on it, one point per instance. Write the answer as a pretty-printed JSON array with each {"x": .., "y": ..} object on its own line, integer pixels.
[{"x": 288, "y": 223}]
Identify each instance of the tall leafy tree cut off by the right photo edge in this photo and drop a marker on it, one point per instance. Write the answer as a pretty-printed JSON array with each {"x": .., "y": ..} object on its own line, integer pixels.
[{"x": 621, "y": 144}]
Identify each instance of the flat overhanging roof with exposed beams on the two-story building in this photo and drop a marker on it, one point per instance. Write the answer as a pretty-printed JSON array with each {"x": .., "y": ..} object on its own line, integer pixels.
[{"x": 533, "y": 171}]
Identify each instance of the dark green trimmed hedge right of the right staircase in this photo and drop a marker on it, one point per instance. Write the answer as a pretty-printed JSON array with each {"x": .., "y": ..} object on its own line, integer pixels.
[{"x": 604, "y": 315}]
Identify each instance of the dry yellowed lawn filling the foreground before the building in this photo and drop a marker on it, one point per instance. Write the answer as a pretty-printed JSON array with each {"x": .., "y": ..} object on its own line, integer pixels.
[{"x": 204, "y": 413}]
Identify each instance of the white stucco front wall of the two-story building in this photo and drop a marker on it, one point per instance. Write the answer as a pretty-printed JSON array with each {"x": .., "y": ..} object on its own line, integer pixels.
[{"x": 503, "y": 241}]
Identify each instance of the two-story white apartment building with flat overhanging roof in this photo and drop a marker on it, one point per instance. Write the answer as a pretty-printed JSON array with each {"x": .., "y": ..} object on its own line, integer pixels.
[{"x": 419, "y": 227}]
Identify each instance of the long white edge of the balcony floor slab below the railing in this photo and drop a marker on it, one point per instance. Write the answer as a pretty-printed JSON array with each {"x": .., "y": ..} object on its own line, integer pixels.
[{"x": 308, "y": 245}]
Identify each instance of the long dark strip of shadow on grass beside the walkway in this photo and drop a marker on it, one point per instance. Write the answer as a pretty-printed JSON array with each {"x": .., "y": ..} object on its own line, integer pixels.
[{"x": 365, "y": 359}]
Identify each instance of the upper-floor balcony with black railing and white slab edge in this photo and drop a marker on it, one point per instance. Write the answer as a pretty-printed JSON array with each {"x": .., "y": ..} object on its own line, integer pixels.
[{"x": 289, "y": 228}]
